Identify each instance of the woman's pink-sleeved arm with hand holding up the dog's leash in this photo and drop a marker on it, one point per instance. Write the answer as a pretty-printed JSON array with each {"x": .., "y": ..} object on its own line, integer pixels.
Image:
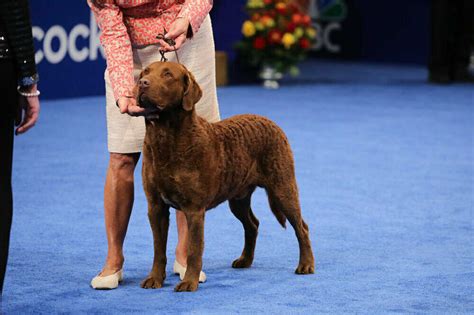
[{"x": 188, "y": 22}]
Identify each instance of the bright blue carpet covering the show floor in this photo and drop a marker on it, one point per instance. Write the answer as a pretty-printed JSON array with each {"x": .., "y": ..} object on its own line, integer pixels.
[{"x": 385, "y": 170}]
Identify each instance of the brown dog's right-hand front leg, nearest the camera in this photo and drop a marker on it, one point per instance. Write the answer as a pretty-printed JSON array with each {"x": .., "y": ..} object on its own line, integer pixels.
[{"x": 195, "y": 220}]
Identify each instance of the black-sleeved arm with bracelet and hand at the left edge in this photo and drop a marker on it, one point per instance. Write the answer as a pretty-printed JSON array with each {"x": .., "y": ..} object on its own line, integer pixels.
[{"x": 15, "y": 15}]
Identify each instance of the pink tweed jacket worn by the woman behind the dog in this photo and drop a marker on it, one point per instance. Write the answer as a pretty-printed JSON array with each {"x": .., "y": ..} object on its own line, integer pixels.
[{"x": 131, "y": 23}]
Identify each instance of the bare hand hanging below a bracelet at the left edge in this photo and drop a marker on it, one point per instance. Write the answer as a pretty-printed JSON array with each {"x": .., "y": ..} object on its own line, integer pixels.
[{"x": 28, "y": 112}]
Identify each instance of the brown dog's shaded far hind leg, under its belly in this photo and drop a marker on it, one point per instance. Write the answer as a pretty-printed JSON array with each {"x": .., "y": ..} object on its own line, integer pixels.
[{"x": 241, "y": 209}]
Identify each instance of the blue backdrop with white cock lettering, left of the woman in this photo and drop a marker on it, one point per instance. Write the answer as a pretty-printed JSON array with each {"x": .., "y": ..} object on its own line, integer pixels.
[{"x": 69, "y": 59}]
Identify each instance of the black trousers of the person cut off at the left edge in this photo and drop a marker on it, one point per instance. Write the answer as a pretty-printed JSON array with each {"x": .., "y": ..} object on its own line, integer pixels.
[{"x": 8, "y": 104}]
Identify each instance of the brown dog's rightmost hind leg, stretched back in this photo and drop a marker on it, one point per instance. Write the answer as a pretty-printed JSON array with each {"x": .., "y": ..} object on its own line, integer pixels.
[{"x": 283, "y": 199}]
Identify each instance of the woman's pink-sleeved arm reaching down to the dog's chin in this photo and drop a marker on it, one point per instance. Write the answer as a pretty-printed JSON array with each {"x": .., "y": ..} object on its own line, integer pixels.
[{"x": 117, "y": 46}]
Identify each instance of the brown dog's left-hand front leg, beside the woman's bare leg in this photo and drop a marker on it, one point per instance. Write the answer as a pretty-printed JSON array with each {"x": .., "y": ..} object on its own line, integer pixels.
[{"x": 159, "y": 217}]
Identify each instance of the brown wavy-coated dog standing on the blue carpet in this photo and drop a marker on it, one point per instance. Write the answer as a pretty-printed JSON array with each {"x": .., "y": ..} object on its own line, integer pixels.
[{"x": 193, "y": 165}]
